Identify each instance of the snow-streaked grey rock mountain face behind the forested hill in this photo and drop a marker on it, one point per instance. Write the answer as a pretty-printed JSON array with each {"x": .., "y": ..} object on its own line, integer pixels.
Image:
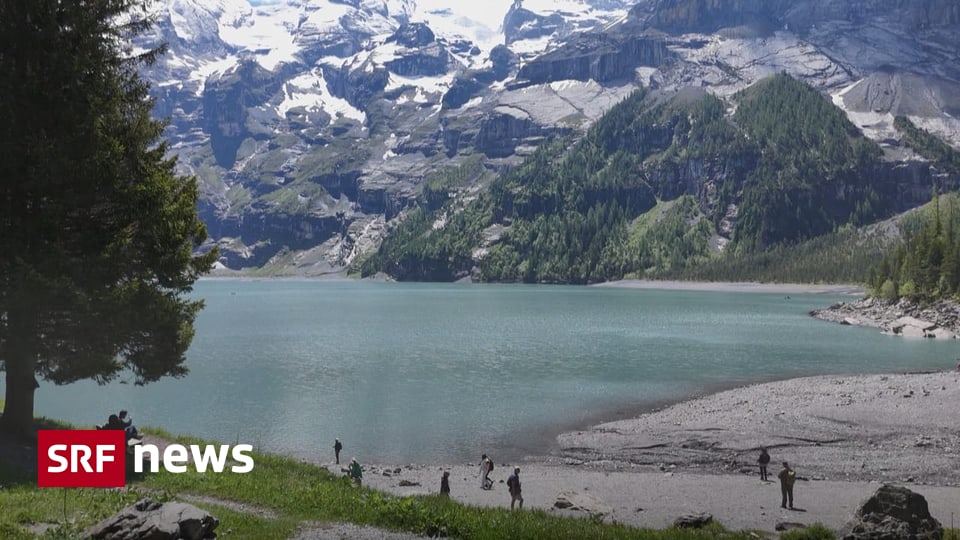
[{"x": 312, "y": 125}]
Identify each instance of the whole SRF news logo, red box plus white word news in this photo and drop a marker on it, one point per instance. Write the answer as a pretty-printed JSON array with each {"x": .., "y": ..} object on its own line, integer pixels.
[{"x": 98, "y": 458}]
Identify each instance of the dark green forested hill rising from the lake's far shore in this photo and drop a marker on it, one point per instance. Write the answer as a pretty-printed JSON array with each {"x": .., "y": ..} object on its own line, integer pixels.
[{"x": 683, "y": 185}]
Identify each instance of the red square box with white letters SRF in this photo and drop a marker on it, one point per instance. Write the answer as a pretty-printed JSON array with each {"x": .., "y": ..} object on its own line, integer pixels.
[{"x": 81, "y": 458}]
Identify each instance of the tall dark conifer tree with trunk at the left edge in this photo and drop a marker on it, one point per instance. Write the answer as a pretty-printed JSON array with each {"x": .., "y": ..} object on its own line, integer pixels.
[{"x": 97, "y": 231}]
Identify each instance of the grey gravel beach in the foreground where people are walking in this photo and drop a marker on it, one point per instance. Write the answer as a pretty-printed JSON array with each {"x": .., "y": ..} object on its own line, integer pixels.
[{"x": 845, "y": 436}]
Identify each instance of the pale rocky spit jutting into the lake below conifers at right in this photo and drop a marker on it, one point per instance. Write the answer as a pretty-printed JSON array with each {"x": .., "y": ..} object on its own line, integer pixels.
[{"x": 902, "y": 317}]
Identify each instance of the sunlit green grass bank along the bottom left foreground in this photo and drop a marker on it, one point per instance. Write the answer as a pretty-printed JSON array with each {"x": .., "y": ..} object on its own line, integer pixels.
[{"x": 296, "y": 493}]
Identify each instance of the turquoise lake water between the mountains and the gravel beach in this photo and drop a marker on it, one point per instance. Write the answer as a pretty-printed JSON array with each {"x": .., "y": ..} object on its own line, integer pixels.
[{"x": 423, "y": 373}]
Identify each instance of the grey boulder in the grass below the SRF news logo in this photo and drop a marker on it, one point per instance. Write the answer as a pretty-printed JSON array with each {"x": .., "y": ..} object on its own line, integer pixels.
[{"x": 155, "y": 521}]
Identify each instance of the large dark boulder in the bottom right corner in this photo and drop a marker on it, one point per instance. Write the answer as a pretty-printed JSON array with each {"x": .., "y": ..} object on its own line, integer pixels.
[{"x": 893, "y": 513}]
